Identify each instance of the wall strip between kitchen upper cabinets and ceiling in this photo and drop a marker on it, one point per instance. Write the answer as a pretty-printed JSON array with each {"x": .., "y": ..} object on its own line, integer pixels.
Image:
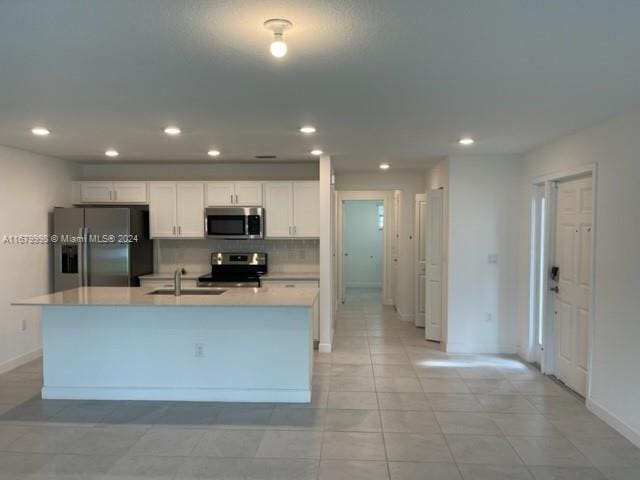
[{"x": 199, "y": 171}]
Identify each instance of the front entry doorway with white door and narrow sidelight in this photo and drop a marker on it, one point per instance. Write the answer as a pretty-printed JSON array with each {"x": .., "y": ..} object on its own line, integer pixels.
[{"x": 562, "y": 256}]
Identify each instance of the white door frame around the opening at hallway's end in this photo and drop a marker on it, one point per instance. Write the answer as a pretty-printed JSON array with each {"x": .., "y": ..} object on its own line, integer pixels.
[{"x": 386, "y": 196}]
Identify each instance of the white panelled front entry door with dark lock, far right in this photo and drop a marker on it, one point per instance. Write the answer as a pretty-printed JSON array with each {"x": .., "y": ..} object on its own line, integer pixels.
[{"x": 573, "y": 235}]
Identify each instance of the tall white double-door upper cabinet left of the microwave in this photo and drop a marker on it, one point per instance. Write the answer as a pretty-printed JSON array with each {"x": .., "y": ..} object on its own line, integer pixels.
[{"x": 176, "y": 210}]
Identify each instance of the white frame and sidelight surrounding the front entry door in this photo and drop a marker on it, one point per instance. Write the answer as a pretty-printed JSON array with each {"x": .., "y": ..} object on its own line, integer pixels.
[{"x": 542, "y": 253}]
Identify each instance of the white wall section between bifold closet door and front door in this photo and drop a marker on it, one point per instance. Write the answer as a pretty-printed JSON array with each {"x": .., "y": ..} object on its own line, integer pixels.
[{"x": 484, "y": 209}]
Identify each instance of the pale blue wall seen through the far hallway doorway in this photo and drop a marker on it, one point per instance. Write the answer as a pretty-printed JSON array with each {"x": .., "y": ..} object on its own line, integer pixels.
[{"x": 363, "y": 241}]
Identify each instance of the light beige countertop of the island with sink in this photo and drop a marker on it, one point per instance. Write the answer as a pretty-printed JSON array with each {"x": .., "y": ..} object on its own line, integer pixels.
[{"x": 138, "y": 296}]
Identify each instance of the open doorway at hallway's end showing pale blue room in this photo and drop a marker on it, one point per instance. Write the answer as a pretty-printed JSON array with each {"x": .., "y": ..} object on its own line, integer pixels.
[{"x": 363, "y": 233}]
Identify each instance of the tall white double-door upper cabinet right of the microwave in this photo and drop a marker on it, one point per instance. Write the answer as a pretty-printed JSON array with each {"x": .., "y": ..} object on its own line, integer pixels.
[{"x": 292, "y": 209}]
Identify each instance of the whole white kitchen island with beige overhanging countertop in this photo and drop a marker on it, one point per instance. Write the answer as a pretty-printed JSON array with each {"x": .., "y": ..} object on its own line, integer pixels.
[{"x": 121, "y": 343}]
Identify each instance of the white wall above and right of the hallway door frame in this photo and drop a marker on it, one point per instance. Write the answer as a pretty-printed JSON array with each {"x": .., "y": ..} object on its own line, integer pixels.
[{"x": 410, "y": 183}]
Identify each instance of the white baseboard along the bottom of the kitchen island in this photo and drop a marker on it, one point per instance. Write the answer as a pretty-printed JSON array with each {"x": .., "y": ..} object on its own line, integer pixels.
[{"x": 177, "y": 394}]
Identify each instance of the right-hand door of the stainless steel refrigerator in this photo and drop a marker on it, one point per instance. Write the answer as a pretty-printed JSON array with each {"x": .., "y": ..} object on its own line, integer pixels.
[{"x": 107, "y": 259}]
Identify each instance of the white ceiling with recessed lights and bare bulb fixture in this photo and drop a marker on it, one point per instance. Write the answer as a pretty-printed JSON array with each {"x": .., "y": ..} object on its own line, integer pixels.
[{"x": 395, "y": 80}]
